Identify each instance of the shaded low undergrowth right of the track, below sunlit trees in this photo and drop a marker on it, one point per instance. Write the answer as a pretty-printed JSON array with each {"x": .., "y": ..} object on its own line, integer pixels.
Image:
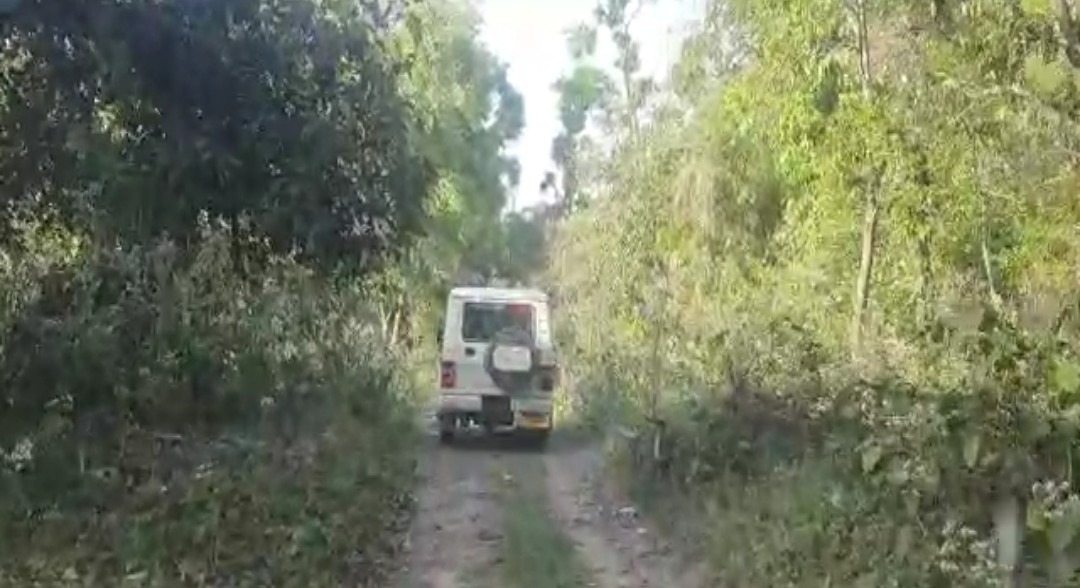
[{"x": 882, "y": 483}]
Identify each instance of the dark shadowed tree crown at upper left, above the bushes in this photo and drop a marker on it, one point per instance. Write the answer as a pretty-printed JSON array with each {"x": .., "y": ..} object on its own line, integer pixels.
[{"x": 281, "y": 118}]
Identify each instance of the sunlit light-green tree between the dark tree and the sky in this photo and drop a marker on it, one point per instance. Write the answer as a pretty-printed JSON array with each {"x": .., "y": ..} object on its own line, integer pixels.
[{"x": 467, "y": 114}]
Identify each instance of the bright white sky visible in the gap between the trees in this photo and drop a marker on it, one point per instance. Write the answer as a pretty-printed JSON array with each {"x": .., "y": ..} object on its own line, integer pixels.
[{"x": 530, "y": 37}]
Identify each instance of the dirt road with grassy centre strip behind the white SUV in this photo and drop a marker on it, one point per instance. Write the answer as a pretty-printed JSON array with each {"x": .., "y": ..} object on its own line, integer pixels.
[{"x": 496, "y": 514}]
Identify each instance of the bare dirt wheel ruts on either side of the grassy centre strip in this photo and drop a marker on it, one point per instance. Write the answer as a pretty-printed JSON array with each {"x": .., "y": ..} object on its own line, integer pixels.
[{"x": 457, "y": 541}]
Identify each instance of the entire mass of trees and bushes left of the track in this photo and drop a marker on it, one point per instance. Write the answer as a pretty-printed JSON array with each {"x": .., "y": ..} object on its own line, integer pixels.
[{"x": 215, "y": 216}]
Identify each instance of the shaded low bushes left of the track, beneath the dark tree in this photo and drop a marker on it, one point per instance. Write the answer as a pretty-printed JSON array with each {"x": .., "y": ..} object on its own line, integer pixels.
[{"x": 169, "y": 423}]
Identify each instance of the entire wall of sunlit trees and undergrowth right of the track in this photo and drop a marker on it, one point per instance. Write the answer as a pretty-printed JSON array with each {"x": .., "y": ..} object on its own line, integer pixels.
[{"x": 832, "y": 268}]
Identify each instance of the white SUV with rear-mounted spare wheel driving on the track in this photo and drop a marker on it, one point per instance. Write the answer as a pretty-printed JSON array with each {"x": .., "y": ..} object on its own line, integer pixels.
[{"x": 497, "y": 366}]
